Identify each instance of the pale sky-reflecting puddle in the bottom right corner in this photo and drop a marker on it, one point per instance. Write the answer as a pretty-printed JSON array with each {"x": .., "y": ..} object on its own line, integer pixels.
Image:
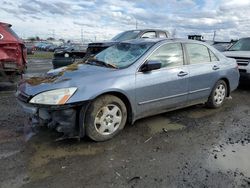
[{"x": 235, "y": 157}]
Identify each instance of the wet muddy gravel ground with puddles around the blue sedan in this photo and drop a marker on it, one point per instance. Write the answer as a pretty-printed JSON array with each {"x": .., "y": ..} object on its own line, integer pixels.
[{"x": 192, "y": 147}]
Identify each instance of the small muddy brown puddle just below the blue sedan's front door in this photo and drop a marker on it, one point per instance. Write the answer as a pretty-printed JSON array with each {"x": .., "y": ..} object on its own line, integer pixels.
[{"x": 158, "y": 123}]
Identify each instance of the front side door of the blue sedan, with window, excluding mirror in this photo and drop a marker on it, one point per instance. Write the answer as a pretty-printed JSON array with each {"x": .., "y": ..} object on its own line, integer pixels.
[{"x": 167, "y": 87}]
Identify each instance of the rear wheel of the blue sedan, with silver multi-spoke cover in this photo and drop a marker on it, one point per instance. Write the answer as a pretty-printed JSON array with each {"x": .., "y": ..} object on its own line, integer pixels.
[{"x": 218, "y": 95}]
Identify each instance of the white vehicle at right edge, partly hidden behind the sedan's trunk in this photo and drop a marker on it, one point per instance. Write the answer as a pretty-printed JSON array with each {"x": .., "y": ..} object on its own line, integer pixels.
[{"x": 241, "y": 52}]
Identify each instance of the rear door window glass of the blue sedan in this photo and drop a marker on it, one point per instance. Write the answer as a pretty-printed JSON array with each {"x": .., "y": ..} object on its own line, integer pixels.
[{"x": 197, "y": 53}]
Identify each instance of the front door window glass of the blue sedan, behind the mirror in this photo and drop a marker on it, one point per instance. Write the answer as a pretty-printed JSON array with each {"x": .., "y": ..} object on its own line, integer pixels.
[{"x": 169, "y": 55}]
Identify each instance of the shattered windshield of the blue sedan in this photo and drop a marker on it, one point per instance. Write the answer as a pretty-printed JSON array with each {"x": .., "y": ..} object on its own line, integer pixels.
[{"x": 123, "y": 54}]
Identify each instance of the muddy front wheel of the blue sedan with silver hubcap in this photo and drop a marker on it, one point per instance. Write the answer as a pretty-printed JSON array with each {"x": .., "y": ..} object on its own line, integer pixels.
[{"x": 105, "y": 118}]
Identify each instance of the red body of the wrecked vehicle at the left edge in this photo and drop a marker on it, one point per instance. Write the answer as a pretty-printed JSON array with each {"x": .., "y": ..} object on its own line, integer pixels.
[{"x": 13, "y": 53}]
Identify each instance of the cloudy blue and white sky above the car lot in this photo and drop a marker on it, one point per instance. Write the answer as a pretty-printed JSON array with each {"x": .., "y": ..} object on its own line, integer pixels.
[{"x": 102, "y": 19}]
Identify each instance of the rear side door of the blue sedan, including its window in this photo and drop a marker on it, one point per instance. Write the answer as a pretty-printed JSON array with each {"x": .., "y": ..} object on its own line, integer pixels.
[{"x": 203, "y": 71}]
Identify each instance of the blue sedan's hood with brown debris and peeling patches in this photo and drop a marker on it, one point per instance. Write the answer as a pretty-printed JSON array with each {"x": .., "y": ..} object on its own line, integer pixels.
[{"x": 75, "y": 75}]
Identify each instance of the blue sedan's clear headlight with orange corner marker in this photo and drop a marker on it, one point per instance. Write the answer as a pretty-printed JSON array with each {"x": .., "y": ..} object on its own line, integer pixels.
[{"x": 54, "y": 97}]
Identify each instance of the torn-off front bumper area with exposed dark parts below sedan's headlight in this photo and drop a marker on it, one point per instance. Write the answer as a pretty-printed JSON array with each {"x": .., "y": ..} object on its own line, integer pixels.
[{"x": 63, "y": 118}]
